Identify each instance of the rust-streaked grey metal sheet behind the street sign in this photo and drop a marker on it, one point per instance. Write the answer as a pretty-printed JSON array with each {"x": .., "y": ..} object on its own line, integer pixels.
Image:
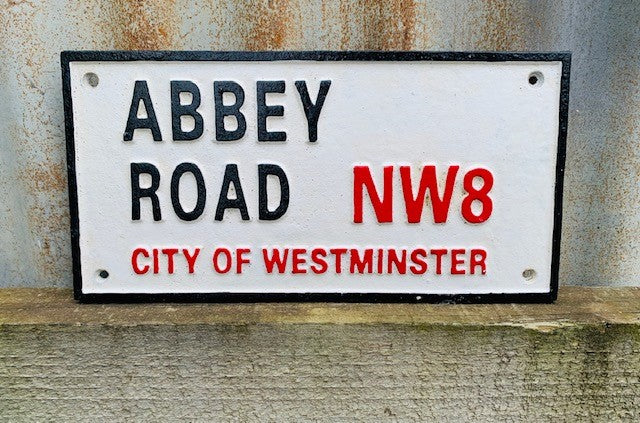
[{"x": 601, "y": 233}]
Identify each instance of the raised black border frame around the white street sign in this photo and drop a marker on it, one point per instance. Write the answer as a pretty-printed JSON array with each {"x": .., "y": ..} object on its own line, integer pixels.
[{"x": 230, "y": 297}]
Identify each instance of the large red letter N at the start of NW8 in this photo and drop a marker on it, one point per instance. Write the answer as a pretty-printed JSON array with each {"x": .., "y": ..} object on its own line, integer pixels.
[{"x": 382, "y": 208}]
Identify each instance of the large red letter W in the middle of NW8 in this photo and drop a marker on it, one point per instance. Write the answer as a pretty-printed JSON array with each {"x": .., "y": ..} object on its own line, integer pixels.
[{"x": 428, "y": 180}]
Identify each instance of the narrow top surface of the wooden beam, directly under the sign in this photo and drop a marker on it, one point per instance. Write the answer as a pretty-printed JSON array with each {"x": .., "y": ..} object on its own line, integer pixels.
[{"x": 575, "y": 305}]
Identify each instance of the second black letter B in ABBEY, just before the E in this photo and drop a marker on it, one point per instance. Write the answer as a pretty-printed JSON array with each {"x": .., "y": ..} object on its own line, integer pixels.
[{"x": 219, "y": 88}]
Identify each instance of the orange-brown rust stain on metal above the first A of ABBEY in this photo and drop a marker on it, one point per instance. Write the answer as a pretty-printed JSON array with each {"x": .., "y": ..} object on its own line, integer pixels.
[{"x": 143, "y": 25}]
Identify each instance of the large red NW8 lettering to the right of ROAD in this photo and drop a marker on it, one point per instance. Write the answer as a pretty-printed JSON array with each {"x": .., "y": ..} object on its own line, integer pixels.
[{"x": 414, "y": 202}]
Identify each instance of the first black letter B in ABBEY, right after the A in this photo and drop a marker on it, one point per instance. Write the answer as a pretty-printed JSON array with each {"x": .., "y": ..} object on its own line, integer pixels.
[{"x": 178, "y": 110}]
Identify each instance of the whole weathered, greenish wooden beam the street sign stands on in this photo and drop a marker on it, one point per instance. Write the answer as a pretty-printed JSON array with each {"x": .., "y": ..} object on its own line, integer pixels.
[{"x": 577, "y": 360}]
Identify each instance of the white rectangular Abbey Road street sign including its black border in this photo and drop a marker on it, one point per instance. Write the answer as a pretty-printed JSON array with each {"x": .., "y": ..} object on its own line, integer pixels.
[{"x": 315, "y": 176}]
